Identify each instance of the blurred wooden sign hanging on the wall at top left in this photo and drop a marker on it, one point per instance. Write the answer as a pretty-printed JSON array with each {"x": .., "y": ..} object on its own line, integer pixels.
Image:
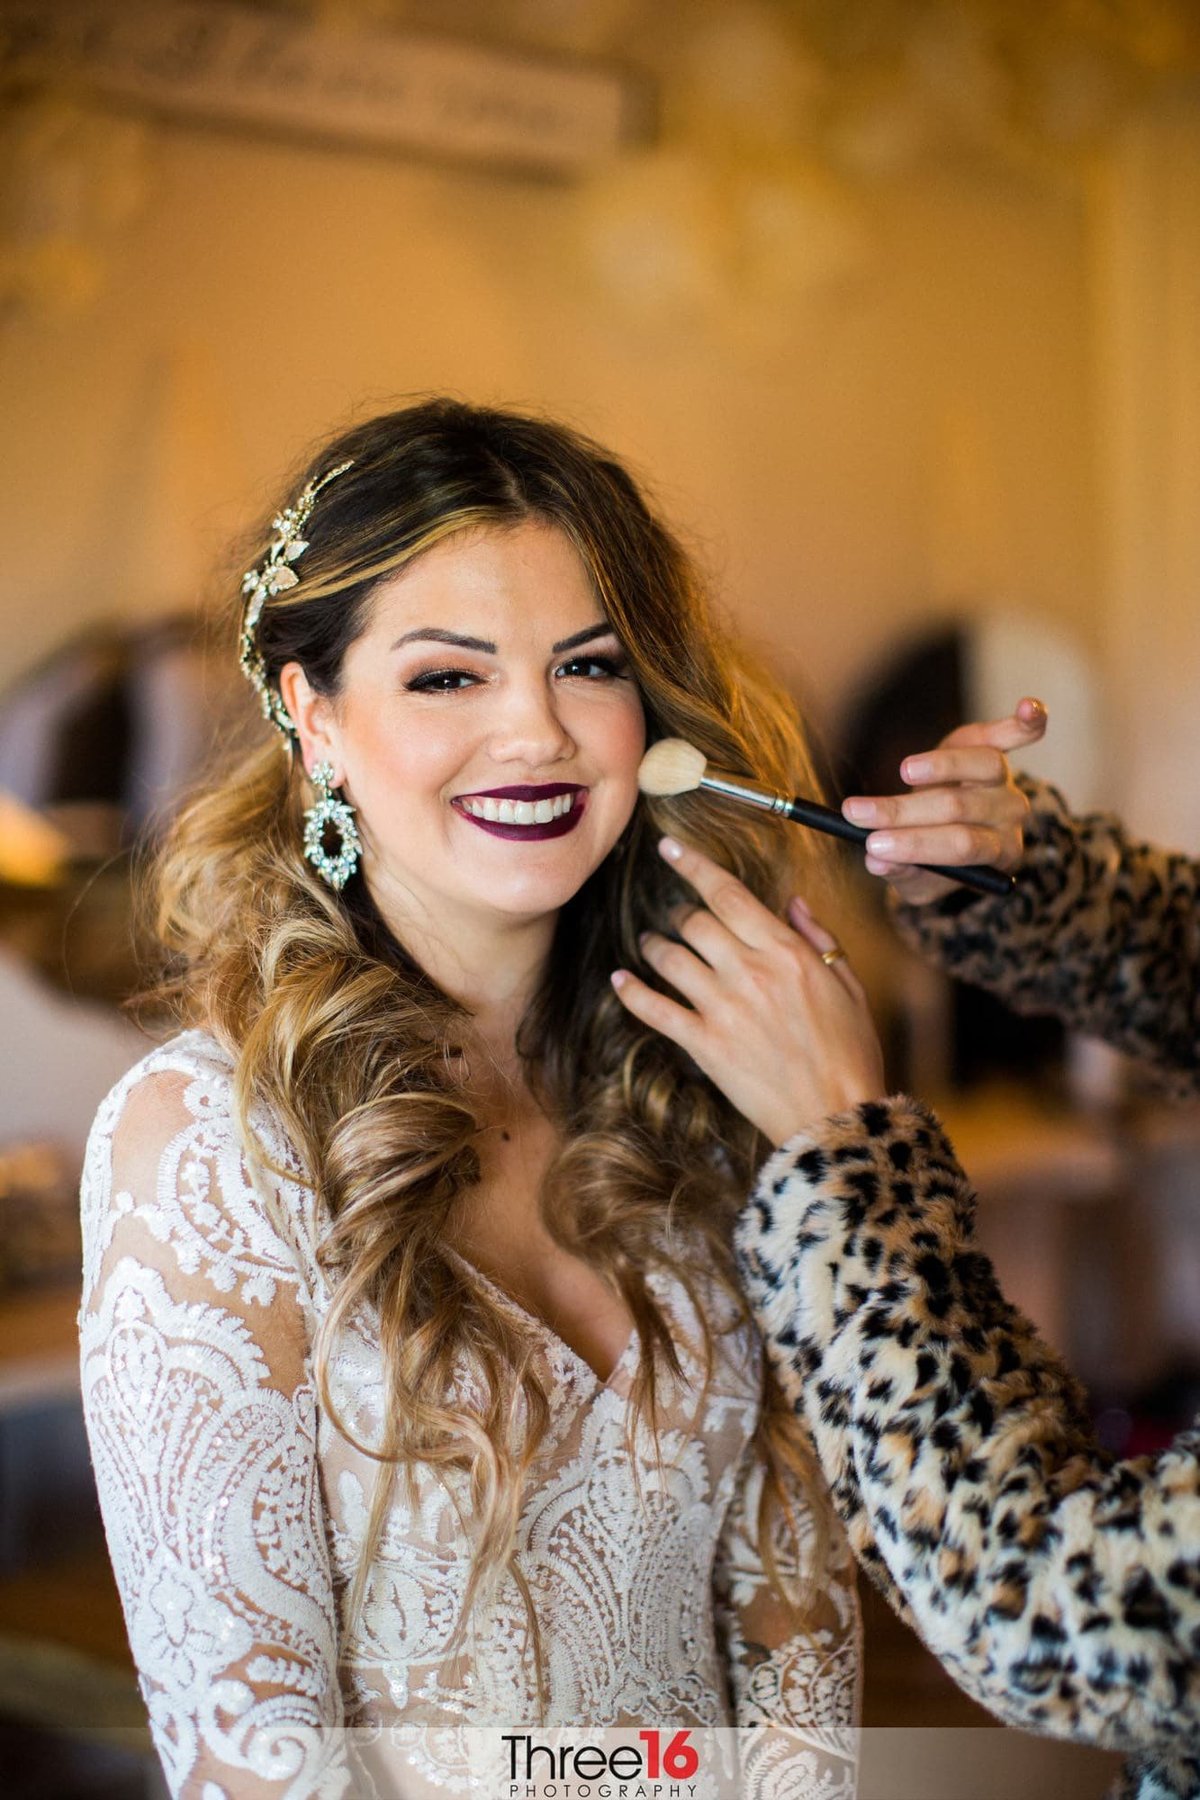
[{"x": 402, "y": 91}]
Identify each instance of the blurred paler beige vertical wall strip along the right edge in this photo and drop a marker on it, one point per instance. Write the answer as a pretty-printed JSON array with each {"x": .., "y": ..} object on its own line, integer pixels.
[{"x": 1147, "y": 298}]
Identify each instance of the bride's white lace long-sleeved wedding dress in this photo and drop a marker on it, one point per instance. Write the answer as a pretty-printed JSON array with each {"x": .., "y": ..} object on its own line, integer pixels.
[{"x": 235, "y": 1509}]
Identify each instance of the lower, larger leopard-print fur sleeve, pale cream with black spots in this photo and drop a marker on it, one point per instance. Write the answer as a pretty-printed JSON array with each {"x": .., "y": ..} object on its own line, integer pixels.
[{"x": 1059, "y": 1587}]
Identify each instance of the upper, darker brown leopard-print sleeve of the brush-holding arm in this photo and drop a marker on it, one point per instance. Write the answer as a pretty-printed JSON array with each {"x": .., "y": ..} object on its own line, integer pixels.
[{"x": 1100, "y": 930}]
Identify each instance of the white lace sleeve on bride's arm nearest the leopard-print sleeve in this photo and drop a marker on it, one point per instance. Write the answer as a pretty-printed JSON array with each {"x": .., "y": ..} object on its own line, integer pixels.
[{"x": 794, "y": 1673}]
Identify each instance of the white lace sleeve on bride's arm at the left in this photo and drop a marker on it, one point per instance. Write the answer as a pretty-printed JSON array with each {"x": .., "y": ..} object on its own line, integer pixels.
[{"x": 202, "y": 1421}]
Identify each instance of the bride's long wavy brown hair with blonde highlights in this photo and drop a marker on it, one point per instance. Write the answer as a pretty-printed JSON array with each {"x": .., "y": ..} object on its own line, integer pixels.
[{"x": 355, "y": 1050}]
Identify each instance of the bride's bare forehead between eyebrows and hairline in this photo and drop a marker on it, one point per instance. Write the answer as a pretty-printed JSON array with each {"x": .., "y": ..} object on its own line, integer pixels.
[{"x": 514, "y": 579}]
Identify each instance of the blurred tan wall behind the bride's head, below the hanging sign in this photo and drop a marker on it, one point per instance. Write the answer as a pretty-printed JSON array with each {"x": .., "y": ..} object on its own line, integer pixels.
[{"x": 951, "y": 426}]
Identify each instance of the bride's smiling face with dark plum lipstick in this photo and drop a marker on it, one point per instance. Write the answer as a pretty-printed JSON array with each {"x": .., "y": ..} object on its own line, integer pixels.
[{"x": 488, "y": 732}]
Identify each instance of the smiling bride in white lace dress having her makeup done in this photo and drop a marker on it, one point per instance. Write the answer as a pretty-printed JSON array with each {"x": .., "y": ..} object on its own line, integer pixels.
[{"x": 420, "y": 1389}]
